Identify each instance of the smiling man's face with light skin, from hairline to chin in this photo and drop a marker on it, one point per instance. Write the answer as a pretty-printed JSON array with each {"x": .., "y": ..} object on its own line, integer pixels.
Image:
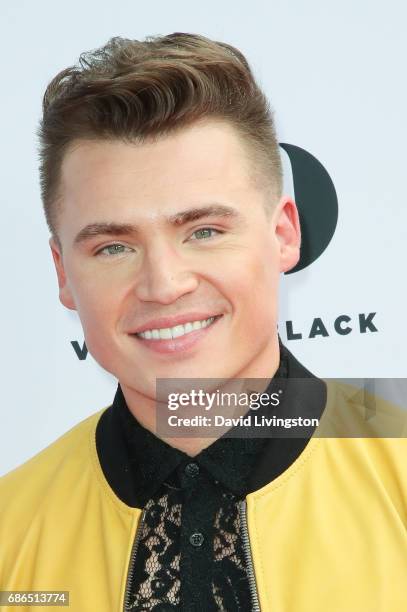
[{"x": 171, "y": 239}]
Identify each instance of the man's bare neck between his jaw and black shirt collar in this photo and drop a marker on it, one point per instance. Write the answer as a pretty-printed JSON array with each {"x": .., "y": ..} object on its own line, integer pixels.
[{"x": 145, "y": 409}]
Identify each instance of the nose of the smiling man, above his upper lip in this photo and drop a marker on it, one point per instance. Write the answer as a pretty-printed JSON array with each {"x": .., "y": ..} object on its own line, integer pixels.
[{"x": 165, "y": 276}]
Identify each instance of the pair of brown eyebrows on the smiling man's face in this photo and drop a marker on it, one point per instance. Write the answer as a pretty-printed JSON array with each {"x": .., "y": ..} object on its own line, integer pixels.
[{"x": 178, "y": 219}]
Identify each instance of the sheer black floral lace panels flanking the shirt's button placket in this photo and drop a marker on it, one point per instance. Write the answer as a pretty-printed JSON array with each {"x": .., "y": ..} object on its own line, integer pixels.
[{"x": 157, "y": 585}]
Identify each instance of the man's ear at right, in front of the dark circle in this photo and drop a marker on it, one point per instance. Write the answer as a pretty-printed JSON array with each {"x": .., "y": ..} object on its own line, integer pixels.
[{"x": 288, "y": 233}]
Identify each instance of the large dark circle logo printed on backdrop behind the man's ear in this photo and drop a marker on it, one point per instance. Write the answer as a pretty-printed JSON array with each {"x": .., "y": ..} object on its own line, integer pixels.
[{"x": 317, "y": 204}]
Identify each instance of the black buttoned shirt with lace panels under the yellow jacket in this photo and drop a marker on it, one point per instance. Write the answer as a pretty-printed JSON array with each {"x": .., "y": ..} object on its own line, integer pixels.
[{"x": 190, "y": 553}]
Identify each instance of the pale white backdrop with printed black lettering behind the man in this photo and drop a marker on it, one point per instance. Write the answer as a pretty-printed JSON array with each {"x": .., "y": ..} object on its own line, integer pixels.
[{"x": 335, "y": 74}]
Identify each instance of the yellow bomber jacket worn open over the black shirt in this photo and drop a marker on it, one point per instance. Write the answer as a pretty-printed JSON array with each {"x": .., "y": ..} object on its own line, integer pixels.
[{"x": 328, "y": 534}]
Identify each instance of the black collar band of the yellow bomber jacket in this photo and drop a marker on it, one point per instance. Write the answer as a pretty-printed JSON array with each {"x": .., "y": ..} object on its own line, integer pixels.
[{"x": 117, "y": 457}]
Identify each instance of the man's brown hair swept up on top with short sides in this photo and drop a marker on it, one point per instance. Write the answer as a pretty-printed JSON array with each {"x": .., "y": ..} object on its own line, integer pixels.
[{"x": 137, "y": 91}]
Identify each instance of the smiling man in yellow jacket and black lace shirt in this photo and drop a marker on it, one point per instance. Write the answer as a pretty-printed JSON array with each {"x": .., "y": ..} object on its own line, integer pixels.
[{"x": 162, "y": 188}]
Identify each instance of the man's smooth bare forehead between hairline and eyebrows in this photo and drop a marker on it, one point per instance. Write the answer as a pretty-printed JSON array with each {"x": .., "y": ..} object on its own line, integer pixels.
[{"x": 207, "y": 156}]
